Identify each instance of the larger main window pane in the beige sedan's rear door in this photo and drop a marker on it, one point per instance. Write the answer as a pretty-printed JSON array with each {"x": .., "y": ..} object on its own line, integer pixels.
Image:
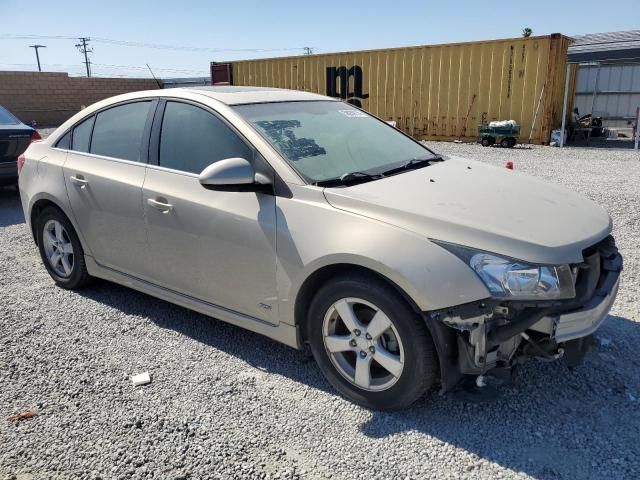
[{"x": 118, "y": 131}]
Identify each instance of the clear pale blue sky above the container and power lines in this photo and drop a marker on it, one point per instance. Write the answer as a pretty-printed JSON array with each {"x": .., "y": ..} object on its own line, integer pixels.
[{"x": 244, "y": 24}]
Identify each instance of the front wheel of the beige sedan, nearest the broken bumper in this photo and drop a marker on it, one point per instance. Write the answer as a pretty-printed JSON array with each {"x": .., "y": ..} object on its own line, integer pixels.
[{"x": 370, "y": 344}]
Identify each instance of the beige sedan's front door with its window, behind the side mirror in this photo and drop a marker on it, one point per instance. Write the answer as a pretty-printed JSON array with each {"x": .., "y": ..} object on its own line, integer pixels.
[{"x": 218, "y": 247}]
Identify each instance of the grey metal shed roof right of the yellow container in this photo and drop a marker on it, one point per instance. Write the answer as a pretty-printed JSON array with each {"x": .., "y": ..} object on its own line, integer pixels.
[{"x": 603, "y": 47}]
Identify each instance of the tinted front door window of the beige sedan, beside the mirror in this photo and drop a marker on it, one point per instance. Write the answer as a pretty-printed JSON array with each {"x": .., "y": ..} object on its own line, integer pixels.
[{"x": 191, "y": 139}]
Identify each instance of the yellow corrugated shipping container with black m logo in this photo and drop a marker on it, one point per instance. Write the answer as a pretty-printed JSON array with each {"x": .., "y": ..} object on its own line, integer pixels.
[{"x": 438, "y": 91}]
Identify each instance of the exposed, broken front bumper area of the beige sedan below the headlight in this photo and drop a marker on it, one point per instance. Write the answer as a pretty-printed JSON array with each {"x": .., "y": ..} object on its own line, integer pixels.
[{"x": 489, "y": 337}]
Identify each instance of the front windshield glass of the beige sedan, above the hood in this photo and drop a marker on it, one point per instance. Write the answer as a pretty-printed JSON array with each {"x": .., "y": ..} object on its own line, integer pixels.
[{"x": 326, "y": 140}]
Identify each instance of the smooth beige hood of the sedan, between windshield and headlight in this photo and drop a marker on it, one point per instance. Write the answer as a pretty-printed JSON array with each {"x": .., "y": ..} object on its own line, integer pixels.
[{"x": 477, "y": 205}]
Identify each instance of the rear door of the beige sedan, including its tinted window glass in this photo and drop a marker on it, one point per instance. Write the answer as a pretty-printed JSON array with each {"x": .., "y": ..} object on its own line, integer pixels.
[{"x": 104, "y": 173}]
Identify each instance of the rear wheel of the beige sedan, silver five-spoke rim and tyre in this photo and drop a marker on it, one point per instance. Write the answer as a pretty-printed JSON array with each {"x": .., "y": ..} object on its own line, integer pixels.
[{"x": 61, "y": 250}]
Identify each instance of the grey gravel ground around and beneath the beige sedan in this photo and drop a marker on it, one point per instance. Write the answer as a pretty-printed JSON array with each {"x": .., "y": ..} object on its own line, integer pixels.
[{"x": 226, "y": 403}]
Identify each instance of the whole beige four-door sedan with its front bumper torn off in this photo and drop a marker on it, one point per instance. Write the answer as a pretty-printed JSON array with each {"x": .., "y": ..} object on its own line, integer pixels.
[{"x": 308, "y": 220}]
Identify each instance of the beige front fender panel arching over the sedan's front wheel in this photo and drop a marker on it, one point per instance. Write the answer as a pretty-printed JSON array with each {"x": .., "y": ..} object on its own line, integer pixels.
[{"x": 312, "y": 235}]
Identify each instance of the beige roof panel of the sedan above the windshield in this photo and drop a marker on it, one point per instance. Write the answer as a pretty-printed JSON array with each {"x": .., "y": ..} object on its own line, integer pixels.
[{"x": 232, "y": 95}]
